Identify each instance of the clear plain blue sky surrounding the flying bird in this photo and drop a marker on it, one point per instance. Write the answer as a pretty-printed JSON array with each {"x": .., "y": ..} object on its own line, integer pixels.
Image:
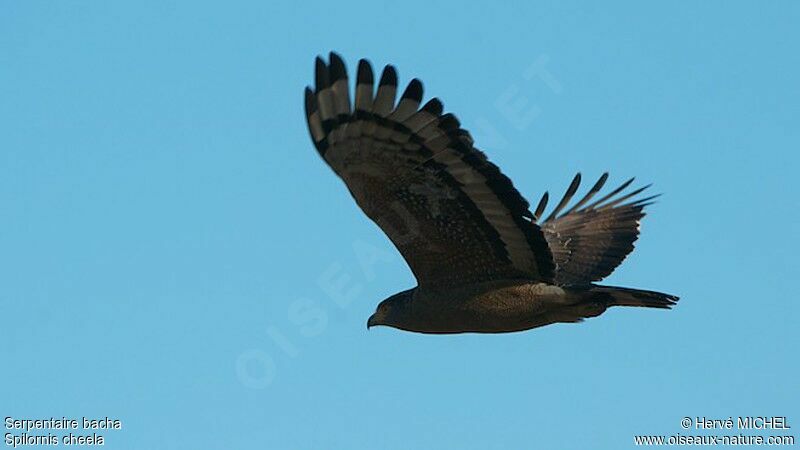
[{"x": 169, "y": 236}]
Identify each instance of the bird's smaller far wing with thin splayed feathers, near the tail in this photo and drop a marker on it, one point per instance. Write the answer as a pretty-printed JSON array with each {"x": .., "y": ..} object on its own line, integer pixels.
[{"x": 590, "y": 240}]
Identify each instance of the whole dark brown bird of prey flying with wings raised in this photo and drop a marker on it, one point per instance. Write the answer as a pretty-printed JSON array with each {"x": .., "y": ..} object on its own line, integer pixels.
[{"x": 484, "y": 262}]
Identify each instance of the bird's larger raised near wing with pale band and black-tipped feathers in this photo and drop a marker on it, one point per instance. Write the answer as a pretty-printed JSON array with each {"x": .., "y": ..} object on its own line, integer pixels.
[{"x": 450, "y": 212}]
